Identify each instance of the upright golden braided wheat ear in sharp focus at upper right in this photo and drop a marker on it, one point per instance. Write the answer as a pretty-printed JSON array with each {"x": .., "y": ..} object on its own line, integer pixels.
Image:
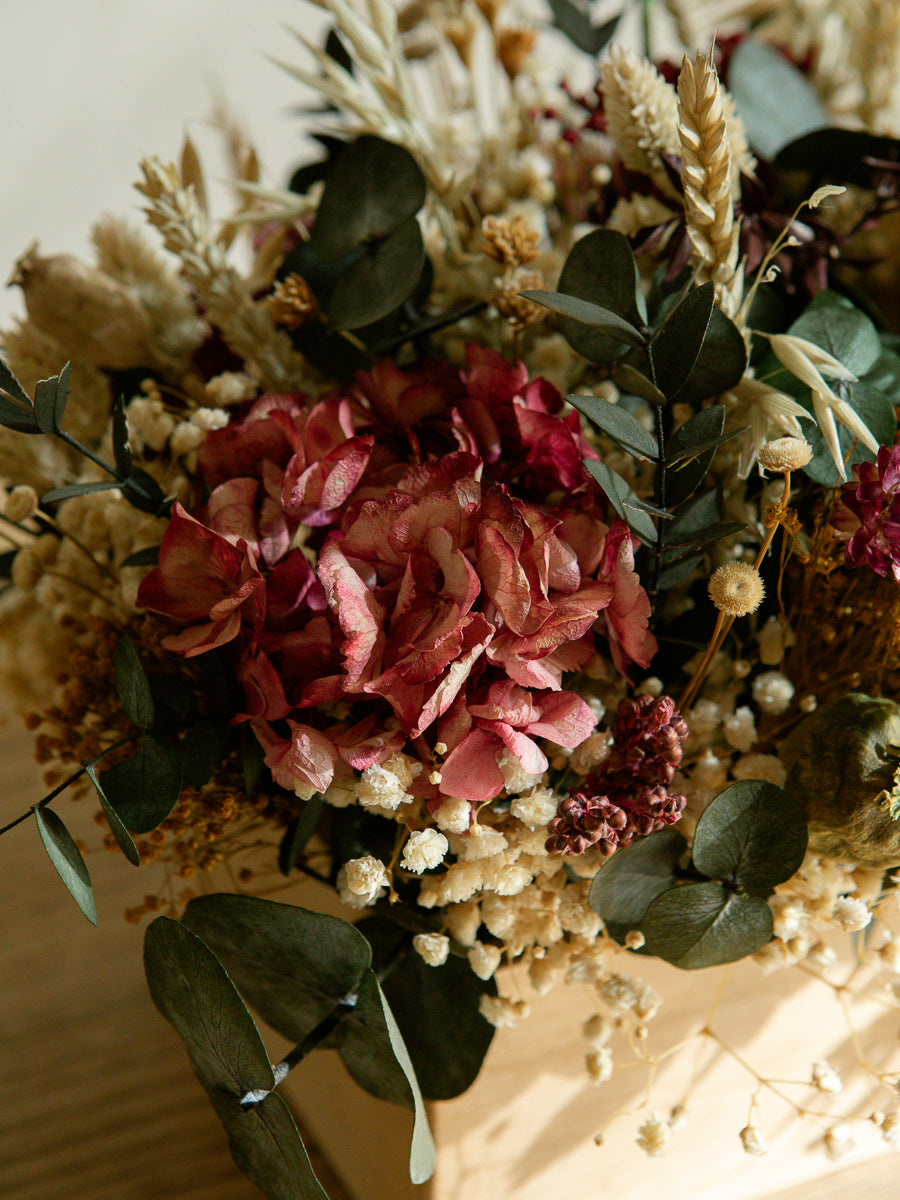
[{"x": 709, "y": 181}]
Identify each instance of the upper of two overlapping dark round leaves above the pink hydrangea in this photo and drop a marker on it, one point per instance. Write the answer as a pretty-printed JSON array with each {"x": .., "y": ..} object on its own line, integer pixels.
[{"x": 373, "y": 188}]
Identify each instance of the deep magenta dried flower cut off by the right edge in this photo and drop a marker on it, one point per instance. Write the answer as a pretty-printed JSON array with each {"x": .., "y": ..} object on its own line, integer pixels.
[{"x": 868, "y": 514}]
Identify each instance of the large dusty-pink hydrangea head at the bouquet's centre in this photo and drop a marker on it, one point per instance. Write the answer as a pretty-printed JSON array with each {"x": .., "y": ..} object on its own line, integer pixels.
[{"x": 421, "y": 562}]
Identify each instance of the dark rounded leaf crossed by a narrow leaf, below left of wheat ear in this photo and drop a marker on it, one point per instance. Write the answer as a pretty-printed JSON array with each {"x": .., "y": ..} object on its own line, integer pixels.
[{"x": 602, "y": 269}]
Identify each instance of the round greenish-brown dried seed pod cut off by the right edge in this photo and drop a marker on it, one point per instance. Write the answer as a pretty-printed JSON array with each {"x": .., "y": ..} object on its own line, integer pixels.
[{"x": 844, "y": 769}]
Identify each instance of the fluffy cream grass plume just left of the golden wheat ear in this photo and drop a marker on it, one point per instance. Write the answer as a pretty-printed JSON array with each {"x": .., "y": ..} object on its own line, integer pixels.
[{"x": 641, "y": 113}]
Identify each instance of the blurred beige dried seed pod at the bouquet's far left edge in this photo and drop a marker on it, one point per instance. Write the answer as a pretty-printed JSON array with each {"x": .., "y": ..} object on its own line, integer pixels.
[{"x": 88, "y": 314}]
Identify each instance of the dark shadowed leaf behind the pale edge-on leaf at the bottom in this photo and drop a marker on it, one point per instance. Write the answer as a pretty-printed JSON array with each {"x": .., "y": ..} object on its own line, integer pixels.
[{"x": 448, "y": 1049}]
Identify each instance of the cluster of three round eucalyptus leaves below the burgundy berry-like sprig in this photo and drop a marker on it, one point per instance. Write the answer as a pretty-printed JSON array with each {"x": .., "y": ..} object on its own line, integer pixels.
[{"x": 712, "y": 909}]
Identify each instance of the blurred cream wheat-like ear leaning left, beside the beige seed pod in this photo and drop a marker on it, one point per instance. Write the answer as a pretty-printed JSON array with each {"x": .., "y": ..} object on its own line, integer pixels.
[{"x": 245, "y": 326}]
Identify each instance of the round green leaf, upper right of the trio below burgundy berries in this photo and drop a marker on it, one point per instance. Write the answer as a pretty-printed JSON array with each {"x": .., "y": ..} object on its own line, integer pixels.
[{"x": 753, "y": 835}]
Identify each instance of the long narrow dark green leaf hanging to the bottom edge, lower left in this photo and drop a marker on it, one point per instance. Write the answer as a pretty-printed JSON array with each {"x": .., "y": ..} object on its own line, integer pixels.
[{"x": 194, "y": 993}]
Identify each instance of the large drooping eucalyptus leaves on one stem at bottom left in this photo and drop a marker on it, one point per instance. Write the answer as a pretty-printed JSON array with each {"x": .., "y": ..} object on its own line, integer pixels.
[{"x": 297, "y": 969}]
